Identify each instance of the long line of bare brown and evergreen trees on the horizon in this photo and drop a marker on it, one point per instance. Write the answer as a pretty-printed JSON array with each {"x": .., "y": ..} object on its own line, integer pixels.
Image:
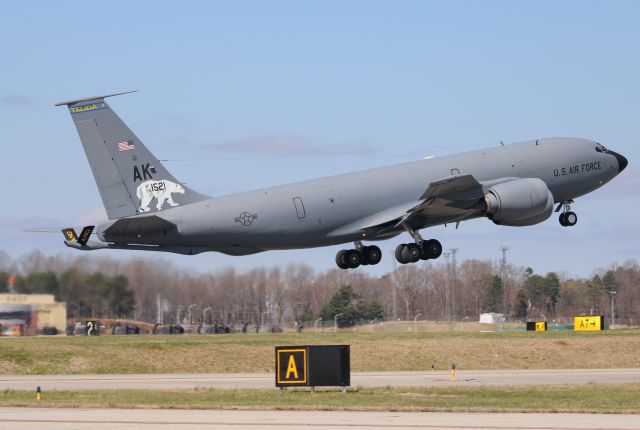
[{"x": 148, "y": 289}]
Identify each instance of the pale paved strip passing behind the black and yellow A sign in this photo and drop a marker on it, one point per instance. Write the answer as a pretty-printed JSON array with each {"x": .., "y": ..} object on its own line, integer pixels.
[{"x": 363, "y": 379}]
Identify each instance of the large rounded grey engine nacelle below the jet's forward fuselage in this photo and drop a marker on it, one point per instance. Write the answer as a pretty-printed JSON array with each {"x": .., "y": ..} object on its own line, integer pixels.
[{"x": 519, "y": 202}]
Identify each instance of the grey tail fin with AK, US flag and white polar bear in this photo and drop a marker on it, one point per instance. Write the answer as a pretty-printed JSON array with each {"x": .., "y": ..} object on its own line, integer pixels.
[{"x": 130, "y": 178}]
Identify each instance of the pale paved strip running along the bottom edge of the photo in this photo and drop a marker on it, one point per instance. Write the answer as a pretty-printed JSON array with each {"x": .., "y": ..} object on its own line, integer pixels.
[{"x": 103, "y": 419}]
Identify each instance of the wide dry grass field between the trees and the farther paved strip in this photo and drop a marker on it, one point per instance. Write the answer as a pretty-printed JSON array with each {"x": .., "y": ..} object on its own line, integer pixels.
[{"x": 369, "y": 351}]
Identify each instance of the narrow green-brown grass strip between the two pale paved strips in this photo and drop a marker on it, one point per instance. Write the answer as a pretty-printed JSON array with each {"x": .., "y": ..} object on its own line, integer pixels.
[{"x": 623, "y": 398}]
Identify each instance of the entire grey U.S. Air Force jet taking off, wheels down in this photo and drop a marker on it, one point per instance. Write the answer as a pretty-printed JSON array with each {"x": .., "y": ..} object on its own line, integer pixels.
[{"x": 149, "y": 209}]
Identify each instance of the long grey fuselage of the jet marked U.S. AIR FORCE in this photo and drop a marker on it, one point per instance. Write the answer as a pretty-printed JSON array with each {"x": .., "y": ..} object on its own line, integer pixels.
[{"x": 314, "y": 213}]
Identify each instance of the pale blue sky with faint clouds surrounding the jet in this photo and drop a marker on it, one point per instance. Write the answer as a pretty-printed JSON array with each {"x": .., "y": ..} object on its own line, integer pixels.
[{"x": 244, "y": 95}]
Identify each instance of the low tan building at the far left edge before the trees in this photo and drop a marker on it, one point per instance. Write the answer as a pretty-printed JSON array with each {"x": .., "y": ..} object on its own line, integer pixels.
[{"x": 31, "y": 314}]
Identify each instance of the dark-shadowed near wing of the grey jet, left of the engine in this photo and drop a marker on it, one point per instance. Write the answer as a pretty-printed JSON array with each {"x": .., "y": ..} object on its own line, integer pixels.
[{"x": 447, "y": 200}]
